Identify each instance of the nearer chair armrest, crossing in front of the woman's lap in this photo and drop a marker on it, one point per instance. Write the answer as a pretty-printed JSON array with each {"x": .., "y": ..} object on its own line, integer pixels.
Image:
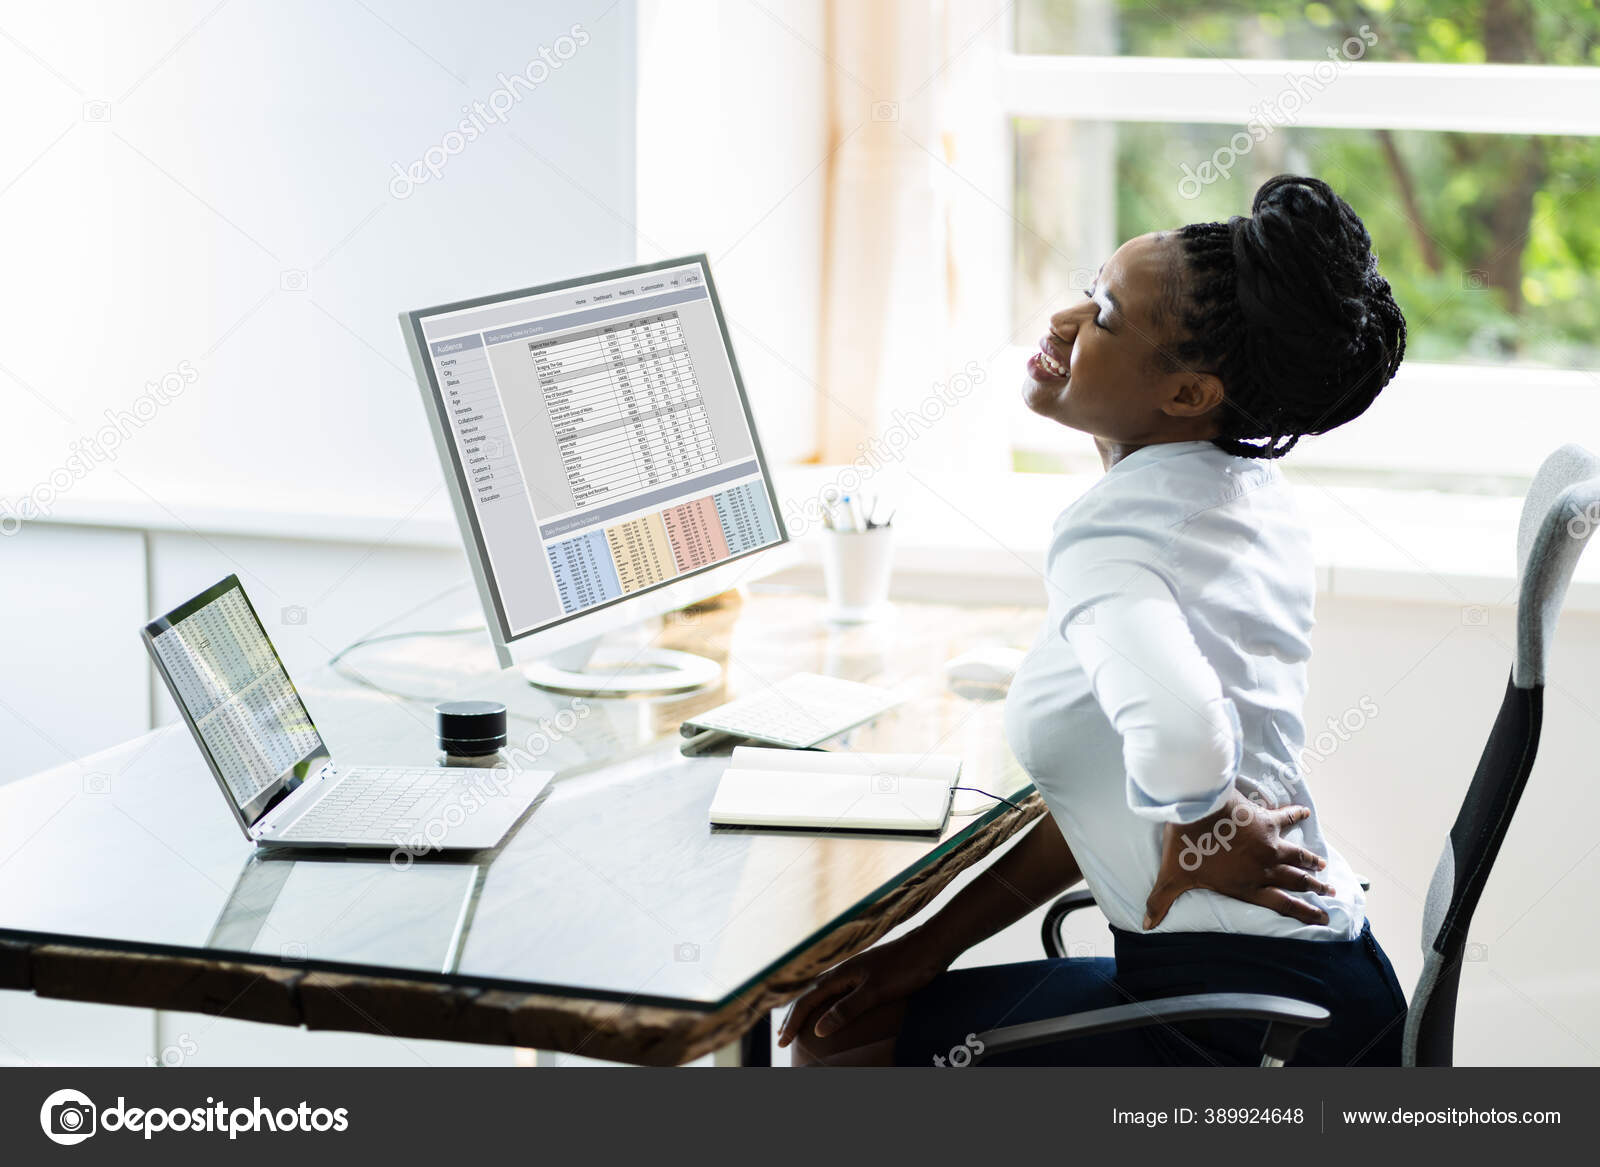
[{"x": 1287, "y": 1021}]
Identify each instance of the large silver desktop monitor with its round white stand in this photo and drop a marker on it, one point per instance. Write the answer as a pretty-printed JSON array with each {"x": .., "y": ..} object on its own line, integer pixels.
[{"x": 602, "y": 460}]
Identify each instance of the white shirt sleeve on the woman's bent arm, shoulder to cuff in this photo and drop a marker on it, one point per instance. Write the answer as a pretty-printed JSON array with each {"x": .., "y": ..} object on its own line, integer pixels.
[{"x": 1182, "y": 739}]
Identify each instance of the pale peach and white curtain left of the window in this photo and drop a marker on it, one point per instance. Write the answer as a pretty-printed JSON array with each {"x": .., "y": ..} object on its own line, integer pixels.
[{"x": 916, "y": 235}]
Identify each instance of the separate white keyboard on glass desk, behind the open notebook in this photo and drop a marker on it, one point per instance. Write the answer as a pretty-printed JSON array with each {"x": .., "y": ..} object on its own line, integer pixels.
[{"x": 799, "y": 713}]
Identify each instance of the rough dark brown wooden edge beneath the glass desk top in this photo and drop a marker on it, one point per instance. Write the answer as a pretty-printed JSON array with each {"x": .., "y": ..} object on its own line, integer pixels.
[{"x": 642, "y": 1035}]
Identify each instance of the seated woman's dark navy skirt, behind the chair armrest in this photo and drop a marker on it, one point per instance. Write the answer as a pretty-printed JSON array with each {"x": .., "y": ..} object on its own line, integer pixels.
[{"x": 1351, "y": 979}]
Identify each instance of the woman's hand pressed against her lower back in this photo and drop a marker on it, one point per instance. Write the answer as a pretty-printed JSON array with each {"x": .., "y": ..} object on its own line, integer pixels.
[{"x": 1249, "y": 859}]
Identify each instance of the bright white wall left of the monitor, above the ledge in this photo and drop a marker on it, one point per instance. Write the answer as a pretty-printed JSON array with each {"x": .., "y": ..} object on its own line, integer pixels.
[{"x": 206, "y": 191}]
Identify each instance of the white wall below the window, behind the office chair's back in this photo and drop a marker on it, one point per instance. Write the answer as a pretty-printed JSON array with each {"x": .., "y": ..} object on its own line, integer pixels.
[{"x": 1391, "y": 793}]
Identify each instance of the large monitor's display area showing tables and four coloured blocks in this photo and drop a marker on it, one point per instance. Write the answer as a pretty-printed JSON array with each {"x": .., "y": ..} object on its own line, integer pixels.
[{"x": 599, "y": 430}]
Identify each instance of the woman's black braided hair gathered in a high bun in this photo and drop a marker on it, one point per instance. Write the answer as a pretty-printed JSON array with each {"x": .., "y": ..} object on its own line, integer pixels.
[{"x": 1289, "y": 311}]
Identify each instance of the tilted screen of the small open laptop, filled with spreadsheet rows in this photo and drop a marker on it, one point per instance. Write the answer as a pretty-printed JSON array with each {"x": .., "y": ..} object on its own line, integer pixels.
[{"x": 236, "y": 696}]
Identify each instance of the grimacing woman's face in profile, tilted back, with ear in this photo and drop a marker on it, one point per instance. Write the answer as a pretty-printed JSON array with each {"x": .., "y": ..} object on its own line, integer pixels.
[{"x": 1100, "y": 367}]
